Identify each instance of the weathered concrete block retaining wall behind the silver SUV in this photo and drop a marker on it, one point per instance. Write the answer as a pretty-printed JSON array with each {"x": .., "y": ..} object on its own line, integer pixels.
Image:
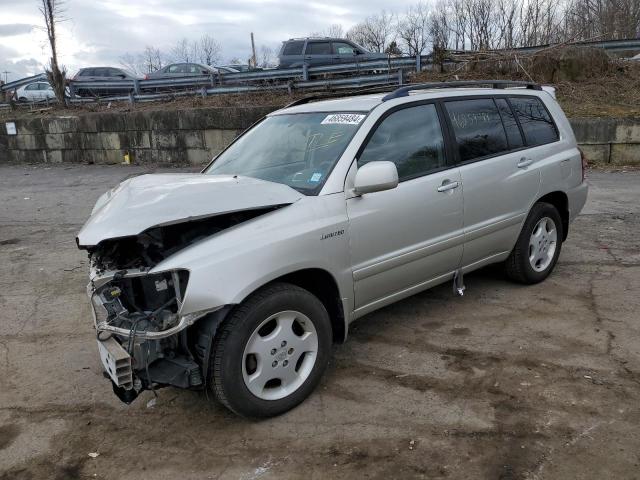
[{"x": 195, "y": 136}]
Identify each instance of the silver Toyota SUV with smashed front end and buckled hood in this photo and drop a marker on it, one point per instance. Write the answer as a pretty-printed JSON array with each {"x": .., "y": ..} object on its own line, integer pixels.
[{"x": 239, "y": 279}]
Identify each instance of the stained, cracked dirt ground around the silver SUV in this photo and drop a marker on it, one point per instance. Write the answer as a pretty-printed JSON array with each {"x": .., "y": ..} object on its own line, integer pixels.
[{"x": 508, "y": 382}]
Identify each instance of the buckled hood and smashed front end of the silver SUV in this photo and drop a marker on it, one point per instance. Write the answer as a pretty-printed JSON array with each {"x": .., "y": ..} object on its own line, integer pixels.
[{"x": 143, "y": 311}]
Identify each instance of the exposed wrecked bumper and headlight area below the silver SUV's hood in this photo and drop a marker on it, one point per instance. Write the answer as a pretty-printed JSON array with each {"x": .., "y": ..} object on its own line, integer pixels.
[{"x": 141, "y": 334}]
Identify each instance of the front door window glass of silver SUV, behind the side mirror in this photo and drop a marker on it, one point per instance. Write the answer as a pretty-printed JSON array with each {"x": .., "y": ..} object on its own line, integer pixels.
[{"x": 411, "y": 138}]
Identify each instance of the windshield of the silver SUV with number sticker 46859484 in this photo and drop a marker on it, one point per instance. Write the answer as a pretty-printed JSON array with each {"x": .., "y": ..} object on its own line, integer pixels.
[{"x": 298, "y": 150}]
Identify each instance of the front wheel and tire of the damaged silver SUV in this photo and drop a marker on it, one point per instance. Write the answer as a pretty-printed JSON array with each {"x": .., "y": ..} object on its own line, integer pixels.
[{"x": 271, "y": 351}]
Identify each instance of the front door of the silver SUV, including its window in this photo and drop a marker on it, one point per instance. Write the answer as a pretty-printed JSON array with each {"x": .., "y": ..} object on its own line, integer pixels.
[{"x": 405, "y": 238}]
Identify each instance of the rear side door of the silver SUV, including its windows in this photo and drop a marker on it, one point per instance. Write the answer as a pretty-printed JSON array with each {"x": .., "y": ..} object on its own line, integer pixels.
[{"x": 498, "y": 180}]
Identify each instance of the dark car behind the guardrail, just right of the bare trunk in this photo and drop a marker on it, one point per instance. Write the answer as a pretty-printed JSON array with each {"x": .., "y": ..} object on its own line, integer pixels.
[{"x": 114, "y": 76}]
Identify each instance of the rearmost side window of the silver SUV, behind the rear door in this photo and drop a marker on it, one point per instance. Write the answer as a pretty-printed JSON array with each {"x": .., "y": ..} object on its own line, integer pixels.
[{"x": 536, "y": 123}]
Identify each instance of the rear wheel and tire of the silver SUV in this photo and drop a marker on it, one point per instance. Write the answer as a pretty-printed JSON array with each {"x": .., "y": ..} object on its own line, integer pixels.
[{"x": 538, "y": 246}]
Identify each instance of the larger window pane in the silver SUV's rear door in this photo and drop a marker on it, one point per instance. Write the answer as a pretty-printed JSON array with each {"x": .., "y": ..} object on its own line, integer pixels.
[{"x": 478, "y": 128}]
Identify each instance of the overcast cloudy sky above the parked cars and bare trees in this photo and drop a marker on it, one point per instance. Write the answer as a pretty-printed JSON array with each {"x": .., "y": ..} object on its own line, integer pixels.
[{"x": 99, "y": 32}]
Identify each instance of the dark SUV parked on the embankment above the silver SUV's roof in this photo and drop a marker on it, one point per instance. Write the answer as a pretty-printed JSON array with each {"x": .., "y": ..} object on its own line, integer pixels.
[{"x": 322, "y": 51}]
